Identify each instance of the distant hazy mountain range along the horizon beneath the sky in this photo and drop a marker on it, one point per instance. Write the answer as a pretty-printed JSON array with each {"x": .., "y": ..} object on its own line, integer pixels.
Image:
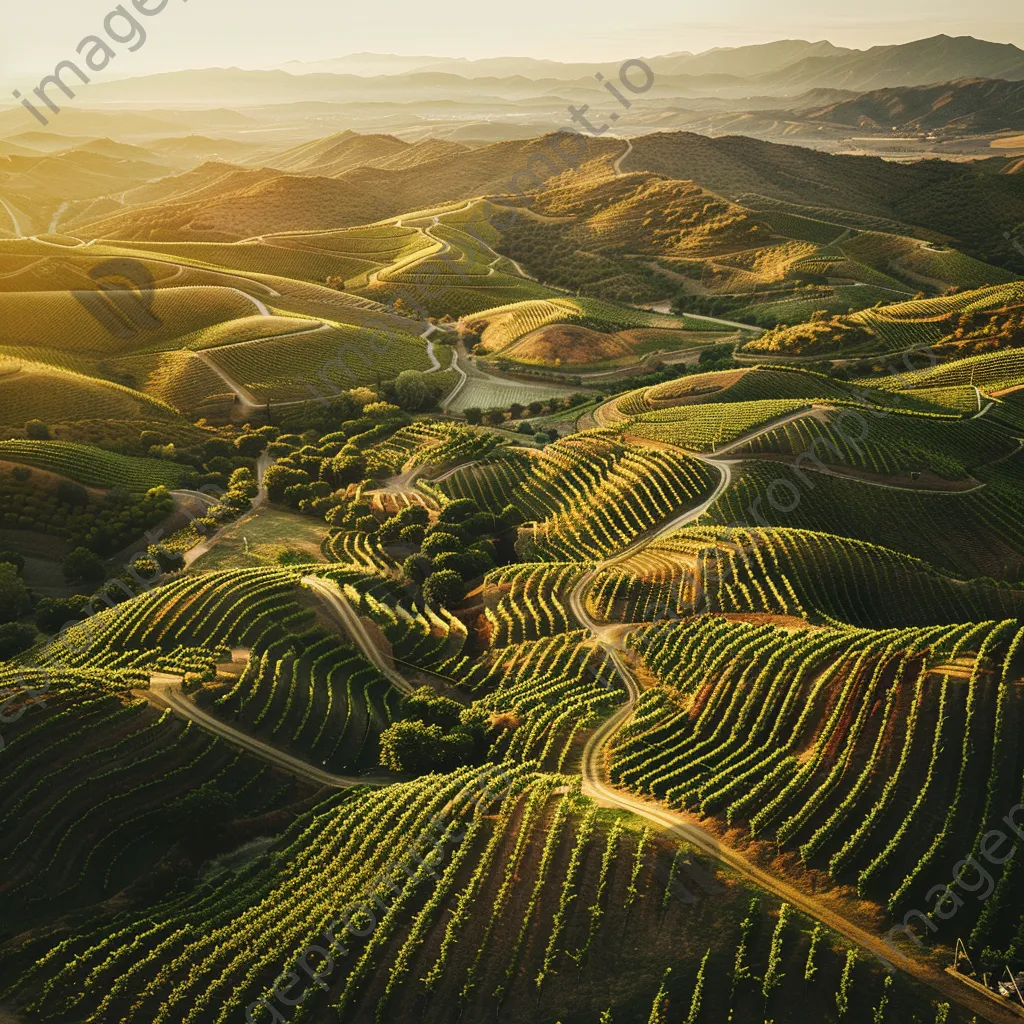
[{"x": 784, "y": 69}]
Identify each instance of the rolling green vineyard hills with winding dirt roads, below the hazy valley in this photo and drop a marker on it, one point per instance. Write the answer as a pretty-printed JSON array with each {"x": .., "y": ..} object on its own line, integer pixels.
[{"x": 414, "y": 608}]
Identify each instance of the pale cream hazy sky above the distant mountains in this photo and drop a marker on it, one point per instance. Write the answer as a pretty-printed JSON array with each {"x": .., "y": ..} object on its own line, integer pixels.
[{"x": 264, "y": 33}]
